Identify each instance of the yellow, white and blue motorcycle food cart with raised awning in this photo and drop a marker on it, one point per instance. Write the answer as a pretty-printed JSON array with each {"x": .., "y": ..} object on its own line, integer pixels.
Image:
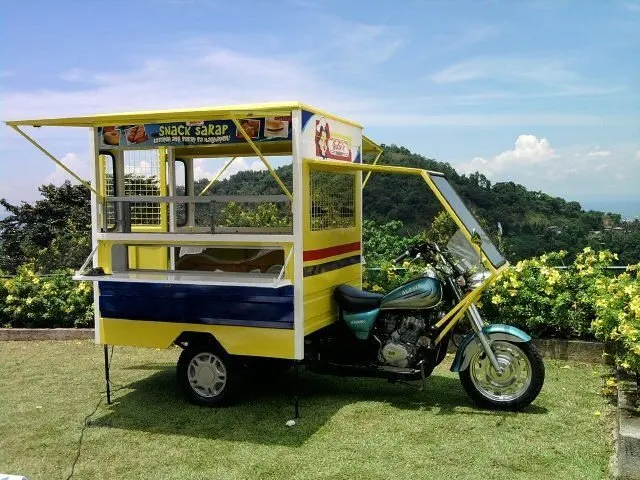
[{"x": 174, "y": 265}]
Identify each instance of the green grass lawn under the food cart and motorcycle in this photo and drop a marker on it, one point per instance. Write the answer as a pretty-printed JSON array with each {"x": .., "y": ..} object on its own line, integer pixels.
[{"x": 350, "y": 428}]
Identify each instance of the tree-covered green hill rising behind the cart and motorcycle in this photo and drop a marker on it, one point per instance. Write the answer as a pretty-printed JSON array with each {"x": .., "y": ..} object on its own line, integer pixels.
[{"x": 532, "y": 222}]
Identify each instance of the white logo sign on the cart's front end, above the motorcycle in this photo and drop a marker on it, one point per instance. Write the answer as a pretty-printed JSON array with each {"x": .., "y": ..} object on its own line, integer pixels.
[{"x": 328, "y": 139}]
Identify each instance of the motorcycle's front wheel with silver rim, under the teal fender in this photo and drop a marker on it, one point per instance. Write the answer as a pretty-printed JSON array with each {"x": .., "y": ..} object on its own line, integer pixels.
[{"x": 516, "y": 387}]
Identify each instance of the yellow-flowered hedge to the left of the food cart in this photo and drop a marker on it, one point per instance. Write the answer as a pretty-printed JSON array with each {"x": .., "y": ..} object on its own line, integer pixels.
[{"x": 29, "y": 300}]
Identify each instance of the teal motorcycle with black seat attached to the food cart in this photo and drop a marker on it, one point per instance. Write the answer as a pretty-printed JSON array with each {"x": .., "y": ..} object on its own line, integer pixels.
[{"x": 404, "y": 335}]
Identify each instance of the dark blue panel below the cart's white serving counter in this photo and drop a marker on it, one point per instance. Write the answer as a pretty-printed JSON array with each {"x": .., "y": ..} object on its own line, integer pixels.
[{"x": 200, "y": 304}]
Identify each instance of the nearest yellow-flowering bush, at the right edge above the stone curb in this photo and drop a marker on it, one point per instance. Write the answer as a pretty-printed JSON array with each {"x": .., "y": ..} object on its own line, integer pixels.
[{"x": 618, "y": 316}]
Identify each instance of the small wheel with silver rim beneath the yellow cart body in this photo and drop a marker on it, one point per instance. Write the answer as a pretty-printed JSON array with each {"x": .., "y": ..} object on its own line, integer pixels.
[{"x": 209, "y": 376}]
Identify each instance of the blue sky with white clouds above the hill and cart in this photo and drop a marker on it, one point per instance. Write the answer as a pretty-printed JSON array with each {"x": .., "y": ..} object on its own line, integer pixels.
[{"x": 544, "y": 93}]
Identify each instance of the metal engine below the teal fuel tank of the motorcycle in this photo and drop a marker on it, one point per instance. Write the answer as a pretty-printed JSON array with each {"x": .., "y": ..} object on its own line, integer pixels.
[{"x": 401, "y": 339}]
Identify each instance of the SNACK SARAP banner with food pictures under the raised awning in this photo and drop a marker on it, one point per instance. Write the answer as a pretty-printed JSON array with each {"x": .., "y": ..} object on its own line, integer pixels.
[{"x": 205, "y": 132}]
